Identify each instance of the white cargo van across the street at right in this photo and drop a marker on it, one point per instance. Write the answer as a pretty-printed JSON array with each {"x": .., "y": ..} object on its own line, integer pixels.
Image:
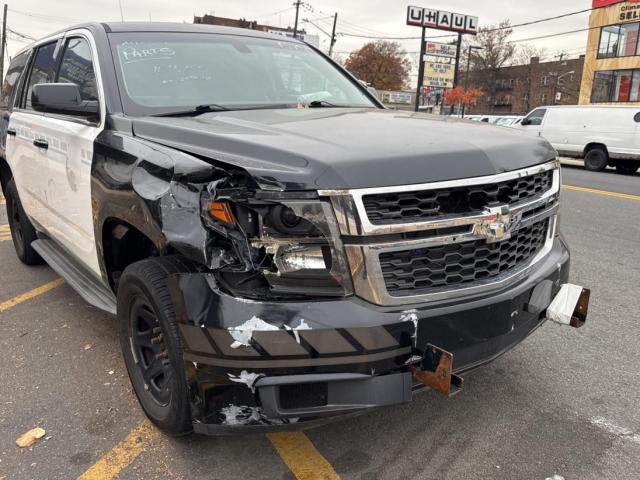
[{"x": 602, "y": 135}]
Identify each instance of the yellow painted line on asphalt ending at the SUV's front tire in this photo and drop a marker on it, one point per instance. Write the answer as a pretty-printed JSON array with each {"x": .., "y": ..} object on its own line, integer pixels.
[{"x": 121, "y": 456}]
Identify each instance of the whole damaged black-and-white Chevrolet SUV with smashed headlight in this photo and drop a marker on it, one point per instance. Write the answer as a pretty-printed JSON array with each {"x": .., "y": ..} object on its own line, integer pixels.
[{"x": 278, "y": 247}]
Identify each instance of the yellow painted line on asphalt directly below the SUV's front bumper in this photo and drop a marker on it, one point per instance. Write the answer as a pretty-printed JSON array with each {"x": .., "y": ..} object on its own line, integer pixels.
[{"x": 302, "y": 457}]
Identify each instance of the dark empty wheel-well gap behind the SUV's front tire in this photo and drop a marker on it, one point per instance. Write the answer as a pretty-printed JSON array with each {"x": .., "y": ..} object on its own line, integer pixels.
[{"x": 123, "y": 245}]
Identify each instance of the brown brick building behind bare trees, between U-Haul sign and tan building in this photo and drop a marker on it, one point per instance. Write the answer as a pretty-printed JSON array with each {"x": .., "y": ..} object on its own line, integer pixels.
[{"x": 521, "y": 88}]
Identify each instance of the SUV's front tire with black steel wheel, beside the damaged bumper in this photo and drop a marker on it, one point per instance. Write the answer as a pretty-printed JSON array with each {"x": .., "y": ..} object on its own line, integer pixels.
[{"x": 151, "y": 344}]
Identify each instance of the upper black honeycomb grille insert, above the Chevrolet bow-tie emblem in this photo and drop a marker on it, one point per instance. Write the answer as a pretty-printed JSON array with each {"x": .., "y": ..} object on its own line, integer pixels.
[{"x": 405, "y": 207}]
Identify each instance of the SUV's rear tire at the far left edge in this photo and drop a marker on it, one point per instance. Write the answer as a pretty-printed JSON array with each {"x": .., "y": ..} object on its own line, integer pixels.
[{"x": 22, "y": 231}]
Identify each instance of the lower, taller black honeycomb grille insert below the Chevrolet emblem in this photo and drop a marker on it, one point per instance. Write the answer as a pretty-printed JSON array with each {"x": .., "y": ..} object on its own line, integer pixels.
[{"x": 412, "y": 272}]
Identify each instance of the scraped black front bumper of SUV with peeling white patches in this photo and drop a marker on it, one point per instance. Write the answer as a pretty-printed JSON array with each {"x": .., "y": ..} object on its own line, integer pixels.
[{"x": 305, "y": 362}]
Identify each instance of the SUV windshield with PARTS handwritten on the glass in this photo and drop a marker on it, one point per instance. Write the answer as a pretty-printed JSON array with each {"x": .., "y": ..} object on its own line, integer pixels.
[{"x": 169, "y": 72}]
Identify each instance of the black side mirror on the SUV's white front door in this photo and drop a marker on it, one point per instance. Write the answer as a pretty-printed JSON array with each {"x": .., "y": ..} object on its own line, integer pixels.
[{"x": 62, "y": 98}]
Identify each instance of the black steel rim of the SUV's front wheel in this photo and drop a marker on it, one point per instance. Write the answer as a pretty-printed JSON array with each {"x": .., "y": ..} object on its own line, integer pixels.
[{"x": 149, "y": 351}]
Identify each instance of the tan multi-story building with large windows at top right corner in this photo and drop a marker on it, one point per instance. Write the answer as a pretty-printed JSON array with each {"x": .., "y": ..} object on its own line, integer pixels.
[{"x": 612, "y": 67}]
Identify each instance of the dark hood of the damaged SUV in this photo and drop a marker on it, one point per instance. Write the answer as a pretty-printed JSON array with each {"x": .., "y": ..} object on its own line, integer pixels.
[{"x": 336, "y": 148}]
